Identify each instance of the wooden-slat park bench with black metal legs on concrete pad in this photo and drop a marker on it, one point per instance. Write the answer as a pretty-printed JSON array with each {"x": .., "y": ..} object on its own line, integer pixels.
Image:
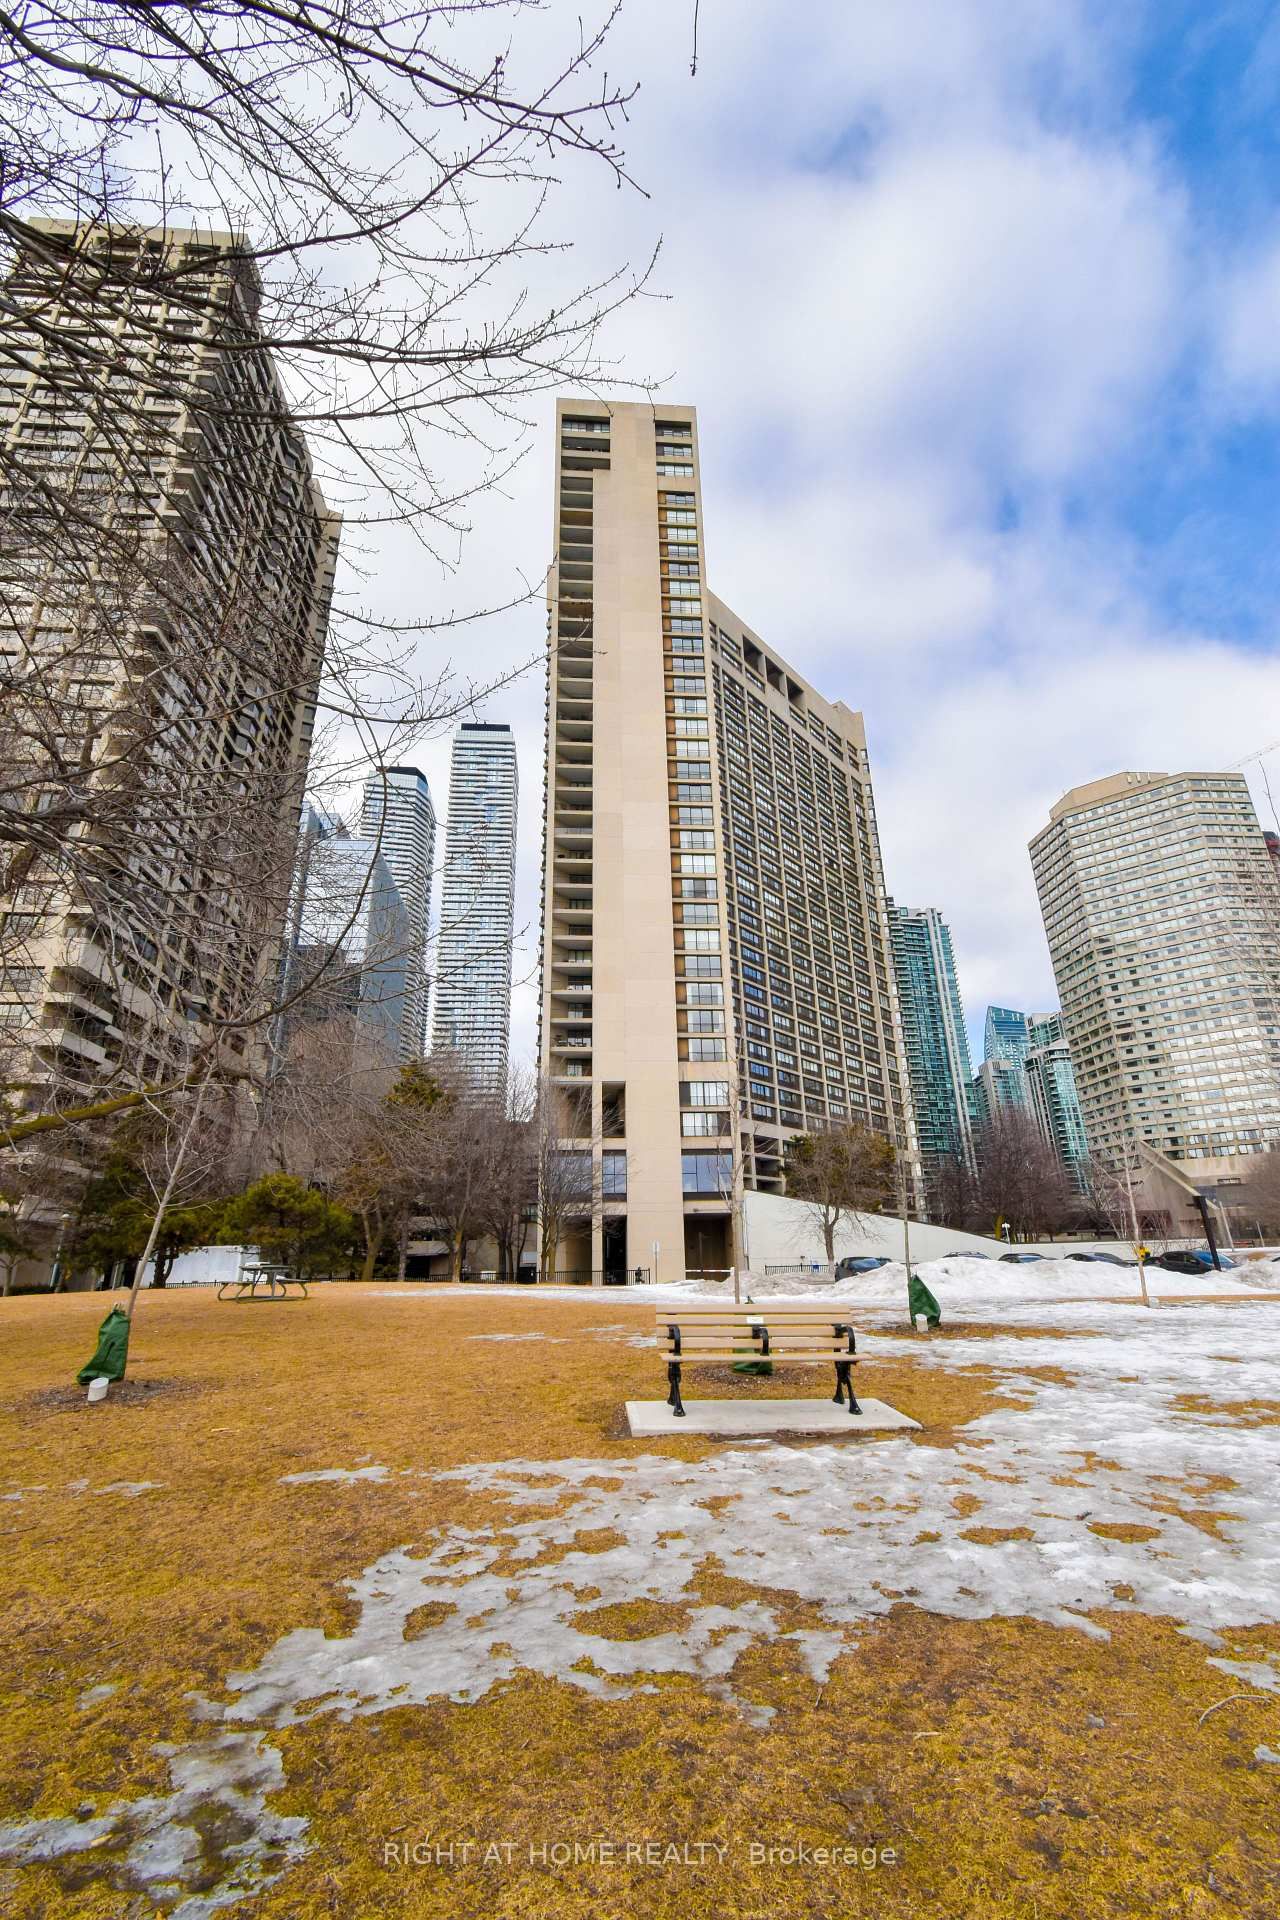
[{"x": 786, "y": 1335}]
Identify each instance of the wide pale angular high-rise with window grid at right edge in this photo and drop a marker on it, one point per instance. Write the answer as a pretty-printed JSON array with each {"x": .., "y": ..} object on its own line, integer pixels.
[{"x": 1164, "y": 926}]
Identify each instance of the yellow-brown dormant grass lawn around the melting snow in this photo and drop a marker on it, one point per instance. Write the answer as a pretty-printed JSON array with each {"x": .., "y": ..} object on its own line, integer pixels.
[{"x": 1014, "y": 1769}]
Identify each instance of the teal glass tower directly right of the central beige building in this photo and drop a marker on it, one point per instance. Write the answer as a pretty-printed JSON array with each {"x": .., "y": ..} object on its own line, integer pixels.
[{"x": 934, "y": 1034}]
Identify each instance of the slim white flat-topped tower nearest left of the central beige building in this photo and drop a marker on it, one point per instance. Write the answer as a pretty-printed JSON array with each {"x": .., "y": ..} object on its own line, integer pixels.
[{"x": 479, "y": 905}]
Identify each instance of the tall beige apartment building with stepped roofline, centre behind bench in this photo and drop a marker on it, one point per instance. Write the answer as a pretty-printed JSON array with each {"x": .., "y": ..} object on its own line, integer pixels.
[{"x": 717, "y": 969}]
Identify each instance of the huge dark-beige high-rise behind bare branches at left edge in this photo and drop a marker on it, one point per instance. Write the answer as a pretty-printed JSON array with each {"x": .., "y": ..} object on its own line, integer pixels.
[{"x": 162, "y": 629}]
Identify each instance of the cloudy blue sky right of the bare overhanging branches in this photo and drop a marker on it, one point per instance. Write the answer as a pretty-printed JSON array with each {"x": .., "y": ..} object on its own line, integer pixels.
[{"x": 978, "y": 302}]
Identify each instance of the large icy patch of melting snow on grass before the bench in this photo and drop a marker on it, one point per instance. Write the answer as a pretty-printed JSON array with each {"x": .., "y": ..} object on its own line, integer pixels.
[{"x": 843, "y": 1529}]
